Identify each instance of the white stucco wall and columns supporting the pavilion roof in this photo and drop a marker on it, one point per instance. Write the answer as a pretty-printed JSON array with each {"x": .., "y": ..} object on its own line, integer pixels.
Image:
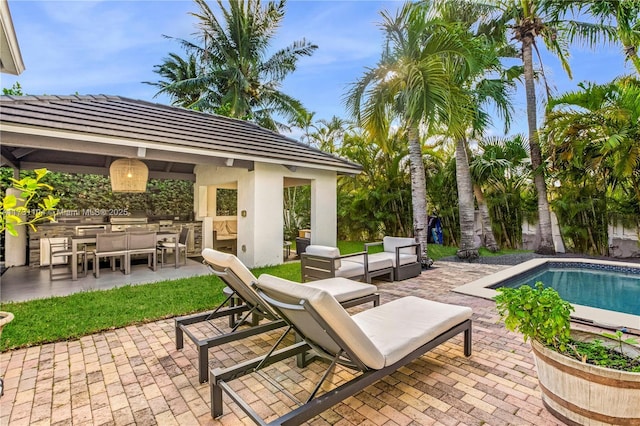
[{"x": 260, "y": 195}]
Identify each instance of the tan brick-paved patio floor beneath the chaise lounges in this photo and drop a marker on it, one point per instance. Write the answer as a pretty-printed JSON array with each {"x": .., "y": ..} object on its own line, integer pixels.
[{"x": 134, "y": 375}]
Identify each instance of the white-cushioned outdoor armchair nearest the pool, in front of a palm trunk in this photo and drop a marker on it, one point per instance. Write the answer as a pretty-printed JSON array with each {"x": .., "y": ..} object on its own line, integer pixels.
[{"x": 404, "y": 254}]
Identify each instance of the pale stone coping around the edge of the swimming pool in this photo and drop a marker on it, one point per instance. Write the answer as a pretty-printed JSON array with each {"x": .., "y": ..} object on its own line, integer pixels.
[{"x": 596, "y": 316}]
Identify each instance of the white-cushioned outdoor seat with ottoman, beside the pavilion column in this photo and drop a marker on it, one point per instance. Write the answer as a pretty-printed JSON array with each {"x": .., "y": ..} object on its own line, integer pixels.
[{"x": 320, "y": 262}]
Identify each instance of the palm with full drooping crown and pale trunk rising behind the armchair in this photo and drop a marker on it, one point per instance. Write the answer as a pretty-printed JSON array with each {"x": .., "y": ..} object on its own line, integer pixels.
[{"x": 414, "y": 81}]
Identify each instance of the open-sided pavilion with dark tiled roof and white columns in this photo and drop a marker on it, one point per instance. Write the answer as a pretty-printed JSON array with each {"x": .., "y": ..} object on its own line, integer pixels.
[{"x": 86, "y": 134}]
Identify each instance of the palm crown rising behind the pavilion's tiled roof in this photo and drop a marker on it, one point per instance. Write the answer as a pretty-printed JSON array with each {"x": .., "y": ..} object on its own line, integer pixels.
[{"x": 236, "y": 76}]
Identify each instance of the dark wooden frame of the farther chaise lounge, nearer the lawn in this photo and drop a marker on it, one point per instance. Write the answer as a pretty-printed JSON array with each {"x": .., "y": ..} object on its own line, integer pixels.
[{"x": 238, "y": 314}]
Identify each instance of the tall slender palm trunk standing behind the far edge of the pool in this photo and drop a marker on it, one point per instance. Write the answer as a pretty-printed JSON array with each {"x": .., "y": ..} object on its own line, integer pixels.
[{"x": 545, "y": 244}]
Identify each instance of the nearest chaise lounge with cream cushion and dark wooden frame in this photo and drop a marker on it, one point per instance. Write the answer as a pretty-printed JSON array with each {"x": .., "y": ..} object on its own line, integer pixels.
[{"x": 376, "y": 342}]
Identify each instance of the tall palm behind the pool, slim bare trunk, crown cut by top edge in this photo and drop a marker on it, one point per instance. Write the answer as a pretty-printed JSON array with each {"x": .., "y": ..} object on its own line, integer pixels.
[{"x": 545, "y": 19}]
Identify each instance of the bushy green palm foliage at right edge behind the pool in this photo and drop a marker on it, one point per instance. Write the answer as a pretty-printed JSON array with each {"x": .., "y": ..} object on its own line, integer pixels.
[{"x": 592, "y": 135}]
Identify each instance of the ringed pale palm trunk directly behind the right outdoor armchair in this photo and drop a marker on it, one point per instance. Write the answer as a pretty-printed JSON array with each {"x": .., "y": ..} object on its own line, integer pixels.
[{"x": 418, "y": 192}]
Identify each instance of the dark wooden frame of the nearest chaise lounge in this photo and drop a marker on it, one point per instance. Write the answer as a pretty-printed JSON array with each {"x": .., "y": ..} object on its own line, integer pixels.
[{"x": 317, "y": 404}]
